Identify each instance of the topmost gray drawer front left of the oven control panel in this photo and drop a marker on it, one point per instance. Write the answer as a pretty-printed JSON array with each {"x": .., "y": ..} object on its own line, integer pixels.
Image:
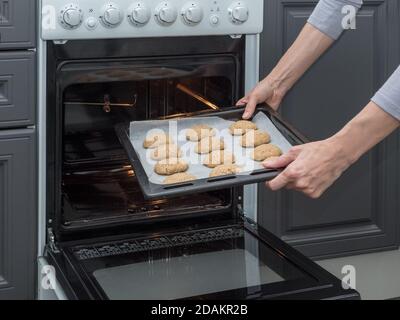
[{"x": 17, "y": 24}]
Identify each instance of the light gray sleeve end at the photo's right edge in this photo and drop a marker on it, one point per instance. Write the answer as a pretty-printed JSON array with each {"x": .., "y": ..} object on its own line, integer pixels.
[{"x": 388, "y": 97}]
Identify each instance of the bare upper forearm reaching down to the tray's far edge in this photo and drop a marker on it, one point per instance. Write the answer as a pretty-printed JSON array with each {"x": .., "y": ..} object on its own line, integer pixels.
[{"x": 308, "y": 47}]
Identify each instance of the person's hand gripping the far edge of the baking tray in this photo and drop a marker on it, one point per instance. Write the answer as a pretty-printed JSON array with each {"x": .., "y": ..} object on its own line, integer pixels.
[{"x": 263, "y": 92}]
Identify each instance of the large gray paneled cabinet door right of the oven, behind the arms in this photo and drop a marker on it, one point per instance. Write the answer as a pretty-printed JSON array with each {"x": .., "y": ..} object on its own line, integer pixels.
[{"x": 360, "y": 212}]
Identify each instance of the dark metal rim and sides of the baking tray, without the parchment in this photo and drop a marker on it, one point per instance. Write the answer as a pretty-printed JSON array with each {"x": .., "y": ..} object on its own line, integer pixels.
[{"x": 152, "y": 190}]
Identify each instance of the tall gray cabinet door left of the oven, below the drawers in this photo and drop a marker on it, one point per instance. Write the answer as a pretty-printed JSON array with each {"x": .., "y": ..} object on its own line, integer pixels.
[{"x": 17, "y": 214}]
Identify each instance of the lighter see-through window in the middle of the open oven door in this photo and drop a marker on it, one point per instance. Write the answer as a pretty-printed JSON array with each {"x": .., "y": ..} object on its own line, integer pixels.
[{"x": 185, "y": 276}]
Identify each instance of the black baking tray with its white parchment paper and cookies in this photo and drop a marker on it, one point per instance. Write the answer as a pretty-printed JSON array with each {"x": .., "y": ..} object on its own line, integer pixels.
[{"x": 191, "y": 159}]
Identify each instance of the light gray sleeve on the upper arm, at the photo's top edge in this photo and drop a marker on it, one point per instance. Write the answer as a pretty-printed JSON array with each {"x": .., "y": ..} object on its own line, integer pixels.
[{"x": 327, "y": 16}]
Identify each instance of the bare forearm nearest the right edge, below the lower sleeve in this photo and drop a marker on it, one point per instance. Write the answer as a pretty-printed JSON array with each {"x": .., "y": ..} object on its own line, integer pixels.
[{"x": 362, "y": 133}]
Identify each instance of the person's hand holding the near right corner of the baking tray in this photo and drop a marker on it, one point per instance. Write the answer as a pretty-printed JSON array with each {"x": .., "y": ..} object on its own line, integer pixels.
[{"x": 310, "y": 168}]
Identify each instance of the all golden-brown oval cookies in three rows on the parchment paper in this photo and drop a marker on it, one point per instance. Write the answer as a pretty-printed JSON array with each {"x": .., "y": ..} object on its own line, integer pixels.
[{"x": 168, "y": 155}]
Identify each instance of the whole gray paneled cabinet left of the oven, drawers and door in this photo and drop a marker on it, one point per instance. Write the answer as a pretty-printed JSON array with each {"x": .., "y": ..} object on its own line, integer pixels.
[{"x": 18, "y": 164}]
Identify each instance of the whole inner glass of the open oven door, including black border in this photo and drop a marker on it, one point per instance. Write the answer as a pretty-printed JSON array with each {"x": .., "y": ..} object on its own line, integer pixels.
[{"x": 228, "y": 261}]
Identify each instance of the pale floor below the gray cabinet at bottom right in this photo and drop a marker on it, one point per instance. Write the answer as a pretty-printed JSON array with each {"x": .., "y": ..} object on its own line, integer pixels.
[{"x": 377, "y": 274}]
